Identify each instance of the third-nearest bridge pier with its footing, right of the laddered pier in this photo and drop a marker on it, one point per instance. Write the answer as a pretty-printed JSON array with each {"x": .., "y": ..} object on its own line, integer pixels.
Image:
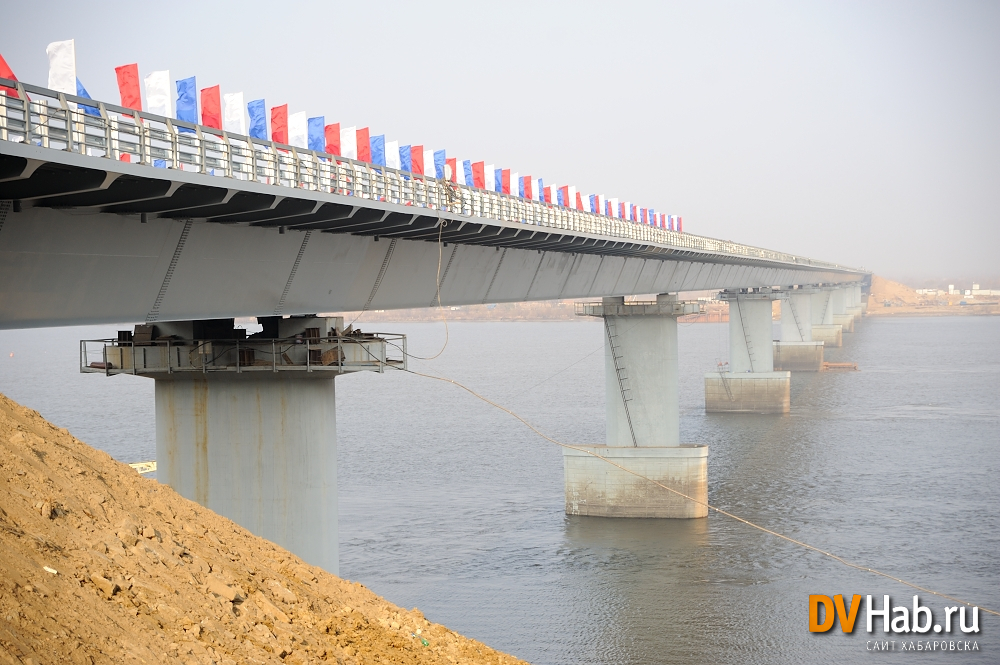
[{"x": 751, "y": 385}]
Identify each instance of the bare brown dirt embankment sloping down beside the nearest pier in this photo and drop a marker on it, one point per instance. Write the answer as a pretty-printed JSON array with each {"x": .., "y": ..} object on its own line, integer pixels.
[{"x": 100, "y": 565}]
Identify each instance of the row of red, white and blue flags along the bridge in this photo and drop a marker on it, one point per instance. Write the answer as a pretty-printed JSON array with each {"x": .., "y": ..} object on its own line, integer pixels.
[{"x": 225, "y": 112}]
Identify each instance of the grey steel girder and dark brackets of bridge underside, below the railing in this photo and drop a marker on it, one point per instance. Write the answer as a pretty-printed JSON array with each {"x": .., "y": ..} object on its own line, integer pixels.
[{"x": 79, "y": 246}]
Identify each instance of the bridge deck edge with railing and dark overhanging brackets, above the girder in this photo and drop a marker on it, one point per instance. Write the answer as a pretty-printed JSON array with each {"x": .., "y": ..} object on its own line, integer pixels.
[{"x": 138, "y": 164}]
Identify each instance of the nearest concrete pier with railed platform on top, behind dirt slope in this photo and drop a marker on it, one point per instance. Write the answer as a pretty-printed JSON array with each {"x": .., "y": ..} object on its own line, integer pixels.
[{"x": 247, "y": 426}]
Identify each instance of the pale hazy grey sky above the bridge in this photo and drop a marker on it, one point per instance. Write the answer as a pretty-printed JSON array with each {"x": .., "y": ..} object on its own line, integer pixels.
[{"x": 866, "y": 133}]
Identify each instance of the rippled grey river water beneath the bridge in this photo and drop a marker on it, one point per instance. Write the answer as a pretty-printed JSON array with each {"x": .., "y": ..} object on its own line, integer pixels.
[{"x": 452, "y": 506}]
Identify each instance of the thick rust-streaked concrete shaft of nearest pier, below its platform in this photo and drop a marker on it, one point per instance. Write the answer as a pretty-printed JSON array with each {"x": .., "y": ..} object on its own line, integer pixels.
[{"x": 258, "y": 448}]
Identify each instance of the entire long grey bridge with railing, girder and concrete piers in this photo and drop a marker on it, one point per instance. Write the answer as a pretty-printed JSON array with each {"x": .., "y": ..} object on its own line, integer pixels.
[{"x": 108, "y": 214}]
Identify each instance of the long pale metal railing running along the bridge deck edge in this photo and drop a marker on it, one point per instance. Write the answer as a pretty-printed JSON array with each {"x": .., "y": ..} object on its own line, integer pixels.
[{"x": 59, "y": 121}]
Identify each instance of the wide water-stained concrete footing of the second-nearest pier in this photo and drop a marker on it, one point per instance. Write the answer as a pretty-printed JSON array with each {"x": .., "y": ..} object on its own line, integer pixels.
[{"x": 595, "y": 487}]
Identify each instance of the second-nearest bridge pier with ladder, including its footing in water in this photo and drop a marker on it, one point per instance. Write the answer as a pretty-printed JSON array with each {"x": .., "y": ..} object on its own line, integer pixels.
[{"x": 643, "y": 432}]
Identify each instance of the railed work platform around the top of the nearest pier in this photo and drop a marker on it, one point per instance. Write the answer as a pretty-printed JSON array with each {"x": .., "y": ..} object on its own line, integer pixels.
[{"x": 337, "y": 354}]
